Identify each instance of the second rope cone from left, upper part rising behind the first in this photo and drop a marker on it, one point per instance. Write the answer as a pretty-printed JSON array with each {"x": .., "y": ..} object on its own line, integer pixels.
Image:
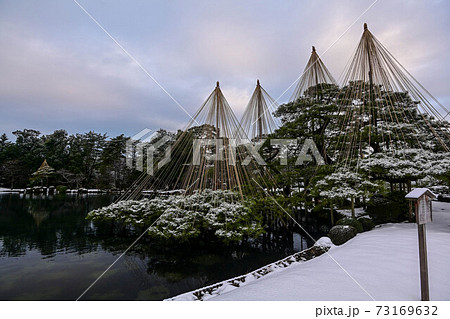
[{"x": 257, "y": 120}]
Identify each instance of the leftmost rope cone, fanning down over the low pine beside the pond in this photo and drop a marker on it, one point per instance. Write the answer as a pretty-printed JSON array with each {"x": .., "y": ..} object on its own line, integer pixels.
[{"x": 207, "y": 154}]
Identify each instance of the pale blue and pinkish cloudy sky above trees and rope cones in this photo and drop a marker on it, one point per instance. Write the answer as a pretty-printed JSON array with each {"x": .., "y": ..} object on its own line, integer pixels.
[{"x": 58, "y": 69}]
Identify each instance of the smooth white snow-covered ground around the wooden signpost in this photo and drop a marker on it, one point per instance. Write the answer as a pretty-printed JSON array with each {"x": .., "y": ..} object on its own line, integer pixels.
[{"x": 381, "y": 264}]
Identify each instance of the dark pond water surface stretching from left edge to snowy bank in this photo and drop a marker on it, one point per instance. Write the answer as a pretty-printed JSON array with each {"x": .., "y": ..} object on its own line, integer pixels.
[{"x": 48, "y": 251}]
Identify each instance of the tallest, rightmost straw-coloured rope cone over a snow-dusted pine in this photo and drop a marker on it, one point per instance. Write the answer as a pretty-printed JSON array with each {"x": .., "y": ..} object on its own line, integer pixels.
[{"x": 382, "y": 108}]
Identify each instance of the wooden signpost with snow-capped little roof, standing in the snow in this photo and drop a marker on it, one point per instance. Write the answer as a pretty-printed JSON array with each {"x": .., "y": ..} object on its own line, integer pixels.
[{"x": 422, "y": 198}]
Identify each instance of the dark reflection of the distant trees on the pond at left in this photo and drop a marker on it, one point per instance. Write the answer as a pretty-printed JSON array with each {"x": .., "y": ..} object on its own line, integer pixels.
[{"x": 48, "y": 225}]
